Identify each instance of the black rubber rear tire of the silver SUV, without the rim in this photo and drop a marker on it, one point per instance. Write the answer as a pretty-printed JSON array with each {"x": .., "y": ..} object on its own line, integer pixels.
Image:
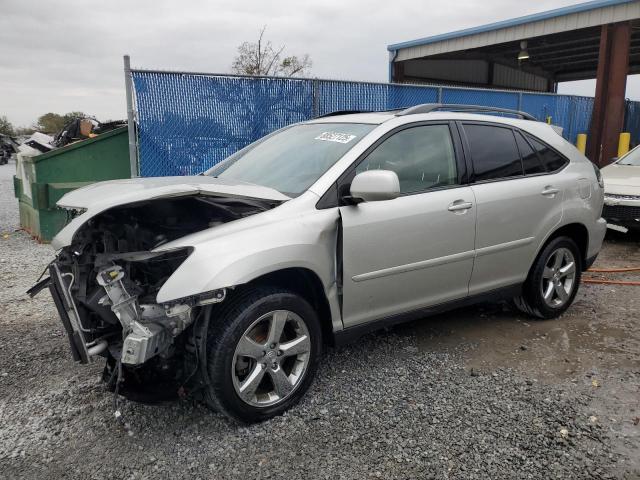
[{"x": 532, "y": 301}]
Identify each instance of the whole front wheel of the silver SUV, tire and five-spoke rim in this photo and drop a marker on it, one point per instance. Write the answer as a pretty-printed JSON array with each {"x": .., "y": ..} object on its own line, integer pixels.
[{"x": 263, "y": 348}]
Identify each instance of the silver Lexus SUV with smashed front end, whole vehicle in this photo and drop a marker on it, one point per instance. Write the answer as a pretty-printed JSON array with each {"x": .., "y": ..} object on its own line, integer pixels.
[{"x": 226, "y": 285}]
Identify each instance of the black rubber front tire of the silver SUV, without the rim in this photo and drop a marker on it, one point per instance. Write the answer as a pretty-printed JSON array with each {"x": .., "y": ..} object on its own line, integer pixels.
[{"x": 227, "y": 326}]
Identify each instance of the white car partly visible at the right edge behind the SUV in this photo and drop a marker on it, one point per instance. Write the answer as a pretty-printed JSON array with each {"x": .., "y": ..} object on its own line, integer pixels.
[{"x": 622, "y": 192}]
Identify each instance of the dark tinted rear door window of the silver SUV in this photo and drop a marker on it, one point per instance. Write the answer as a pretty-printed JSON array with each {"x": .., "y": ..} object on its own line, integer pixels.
[{"x": 494, "y": 152}]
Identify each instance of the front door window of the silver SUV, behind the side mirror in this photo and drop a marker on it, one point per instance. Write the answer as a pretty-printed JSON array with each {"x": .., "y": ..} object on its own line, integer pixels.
[{"x": 423, "y": 157}]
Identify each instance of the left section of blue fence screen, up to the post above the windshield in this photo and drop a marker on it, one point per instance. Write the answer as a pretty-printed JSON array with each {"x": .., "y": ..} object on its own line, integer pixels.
[{"x": 188, "y": 123}]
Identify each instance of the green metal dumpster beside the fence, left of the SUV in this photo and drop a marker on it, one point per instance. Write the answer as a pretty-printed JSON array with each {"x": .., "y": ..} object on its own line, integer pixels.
[{"x": 43, "y": 179}]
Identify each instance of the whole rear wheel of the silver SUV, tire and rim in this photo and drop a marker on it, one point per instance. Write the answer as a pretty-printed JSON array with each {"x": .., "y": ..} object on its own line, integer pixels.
[{"x": 553, "y": 280}]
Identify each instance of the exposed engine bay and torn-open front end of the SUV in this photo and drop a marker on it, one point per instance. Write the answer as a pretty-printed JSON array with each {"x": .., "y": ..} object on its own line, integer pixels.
[{"x": 105, "y": 283}]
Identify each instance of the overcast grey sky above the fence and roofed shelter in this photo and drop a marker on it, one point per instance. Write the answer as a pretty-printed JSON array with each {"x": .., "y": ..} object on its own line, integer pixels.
[{"x": 67, "y": 56}]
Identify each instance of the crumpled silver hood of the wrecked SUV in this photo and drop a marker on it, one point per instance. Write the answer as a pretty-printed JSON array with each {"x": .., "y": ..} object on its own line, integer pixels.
[{"x": 98, "y": 197}]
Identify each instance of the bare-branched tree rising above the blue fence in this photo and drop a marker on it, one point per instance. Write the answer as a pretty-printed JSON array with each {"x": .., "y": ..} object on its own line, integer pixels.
[{"x": 261, "y": 58}]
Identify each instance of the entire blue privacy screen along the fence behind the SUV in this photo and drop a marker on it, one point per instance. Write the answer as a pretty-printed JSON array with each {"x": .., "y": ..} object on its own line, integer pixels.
[{"x": 189, "y": 122}]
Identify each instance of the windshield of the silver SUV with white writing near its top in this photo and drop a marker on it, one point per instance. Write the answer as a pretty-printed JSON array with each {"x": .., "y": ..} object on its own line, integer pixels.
[{"x": 291, "y": 160}]
